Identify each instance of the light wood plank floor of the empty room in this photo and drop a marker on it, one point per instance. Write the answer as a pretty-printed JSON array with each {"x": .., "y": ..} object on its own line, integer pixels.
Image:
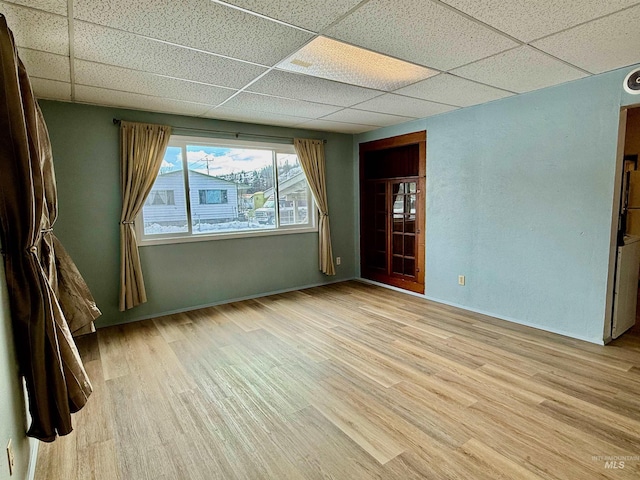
[{"x": 349, "y": 381}]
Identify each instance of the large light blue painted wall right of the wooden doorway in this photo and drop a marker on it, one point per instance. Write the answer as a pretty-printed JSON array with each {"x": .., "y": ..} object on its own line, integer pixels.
[{"x": 520, "y": 200}]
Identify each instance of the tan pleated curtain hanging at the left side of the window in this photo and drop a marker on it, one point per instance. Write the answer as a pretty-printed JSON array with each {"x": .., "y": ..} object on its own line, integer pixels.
[{"x": 142, "y": 148}]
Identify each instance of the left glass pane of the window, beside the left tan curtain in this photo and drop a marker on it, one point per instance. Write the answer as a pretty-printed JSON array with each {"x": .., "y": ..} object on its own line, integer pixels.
[{"x": 165, "y": 210}]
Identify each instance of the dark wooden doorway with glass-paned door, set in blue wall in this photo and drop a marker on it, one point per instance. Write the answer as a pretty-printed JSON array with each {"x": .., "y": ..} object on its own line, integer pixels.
[{"x": 392, "y": 206}]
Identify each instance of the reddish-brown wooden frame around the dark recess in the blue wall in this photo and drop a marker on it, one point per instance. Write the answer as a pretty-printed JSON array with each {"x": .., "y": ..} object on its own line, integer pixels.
[{"x": 415, "y": 138}]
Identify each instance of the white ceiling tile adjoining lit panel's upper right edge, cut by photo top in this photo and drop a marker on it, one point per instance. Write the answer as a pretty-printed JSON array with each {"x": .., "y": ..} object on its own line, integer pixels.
[{"x": 422, "y": 32}]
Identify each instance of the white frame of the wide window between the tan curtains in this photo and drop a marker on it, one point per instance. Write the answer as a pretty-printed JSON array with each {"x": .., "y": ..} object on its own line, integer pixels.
[{"x": 182, "y": 141}]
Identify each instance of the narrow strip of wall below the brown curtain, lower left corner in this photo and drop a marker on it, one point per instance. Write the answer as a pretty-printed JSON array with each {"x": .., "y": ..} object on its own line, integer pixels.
[{"x": 13, "y": 422}]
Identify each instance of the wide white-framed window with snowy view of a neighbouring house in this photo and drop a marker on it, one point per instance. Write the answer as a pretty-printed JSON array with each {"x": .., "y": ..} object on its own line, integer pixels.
[{"x": 220, "y": 188}]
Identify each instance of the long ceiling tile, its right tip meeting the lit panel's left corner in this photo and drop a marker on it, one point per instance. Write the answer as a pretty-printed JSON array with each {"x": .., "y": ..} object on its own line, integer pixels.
[{"x": 123, "y": 49}]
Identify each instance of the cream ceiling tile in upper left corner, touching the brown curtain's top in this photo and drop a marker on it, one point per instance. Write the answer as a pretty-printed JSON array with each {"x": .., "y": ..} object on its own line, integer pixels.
[{"x": 37, "y": 30}]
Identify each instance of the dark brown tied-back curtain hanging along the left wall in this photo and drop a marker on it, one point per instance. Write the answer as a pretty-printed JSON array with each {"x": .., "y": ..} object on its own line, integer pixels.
[{"x": 49, "y": 299}]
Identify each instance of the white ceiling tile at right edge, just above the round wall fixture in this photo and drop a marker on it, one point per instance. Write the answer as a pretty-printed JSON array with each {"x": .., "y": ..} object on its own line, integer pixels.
[{"x": 605, "y": 44}]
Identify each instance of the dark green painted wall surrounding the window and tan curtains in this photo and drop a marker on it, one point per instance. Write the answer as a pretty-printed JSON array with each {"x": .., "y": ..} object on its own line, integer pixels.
[{"x": 181, "y": 276}]
